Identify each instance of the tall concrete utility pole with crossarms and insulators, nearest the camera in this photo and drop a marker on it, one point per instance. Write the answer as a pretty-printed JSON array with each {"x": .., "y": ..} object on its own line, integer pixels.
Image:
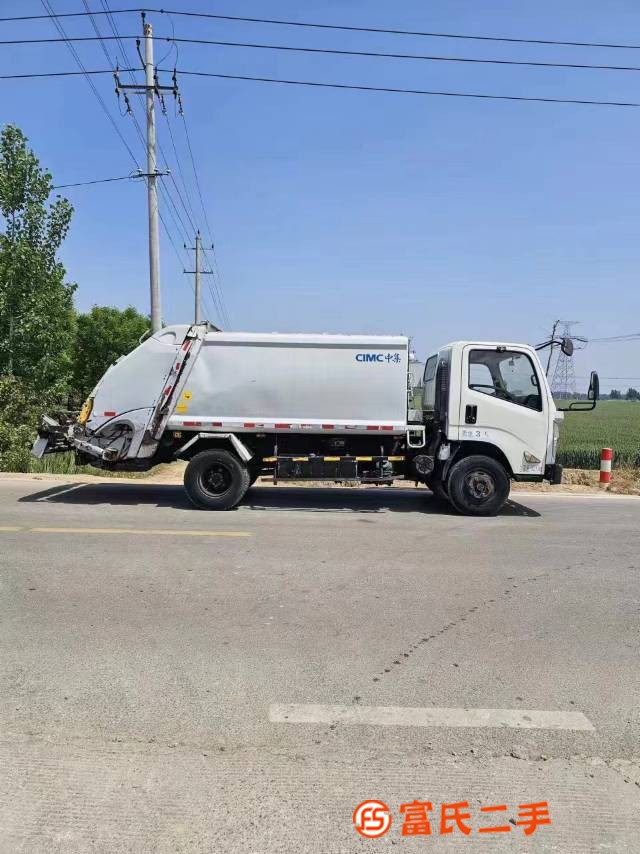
[{"x": 151, "y": 88}]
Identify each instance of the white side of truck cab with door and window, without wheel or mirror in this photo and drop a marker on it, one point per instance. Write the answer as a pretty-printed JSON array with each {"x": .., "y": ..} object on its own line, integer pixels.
[{"x": 503, "y": 402}]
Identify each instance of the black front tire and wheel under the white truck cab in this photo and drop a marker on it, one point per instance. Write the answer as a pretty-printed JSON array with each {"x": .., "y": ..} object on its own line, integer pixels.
[{"x": 478, "y": 486}]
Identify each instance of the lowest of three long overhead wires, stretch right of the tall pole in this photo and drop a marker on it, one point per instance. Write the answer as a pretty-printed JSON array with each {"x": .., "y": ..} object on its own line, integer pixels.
[{"x": 401, "y": 91}]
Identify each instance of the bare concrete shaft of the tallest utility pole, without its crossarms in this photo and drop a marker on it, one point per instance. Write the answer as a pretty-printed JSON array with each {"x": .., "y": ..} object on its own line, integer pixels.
[{"x": 152, "y": 189}]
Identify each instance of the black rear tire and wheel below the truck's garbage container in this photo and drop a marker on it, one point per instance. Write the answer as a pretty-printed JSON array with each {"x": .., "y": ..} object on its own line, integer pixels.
[{"x": 216, "y": 480}]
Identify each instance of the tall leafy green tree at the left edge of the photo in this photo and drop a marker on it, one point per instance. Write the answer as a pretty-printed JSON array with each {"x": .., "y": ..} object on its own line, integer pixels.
[{"x": 37, "y": 319}]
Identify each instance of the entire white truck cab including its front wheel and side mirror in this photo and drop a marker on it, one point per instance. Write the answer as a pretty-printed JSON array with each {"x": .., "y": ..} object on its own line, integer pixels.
[{"x": 490, "y": 418}]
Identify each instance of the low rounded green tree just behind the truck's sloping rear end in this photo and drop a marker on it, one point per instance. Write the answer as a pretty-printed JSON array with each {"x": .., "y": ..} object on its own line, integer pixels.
[{"x": 103, "y": 335}]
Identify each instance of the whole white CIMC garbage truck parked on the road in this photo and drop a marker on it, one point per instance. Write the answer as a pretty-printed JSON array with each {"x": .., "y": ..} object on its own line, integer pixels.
[{"x": 238, "y": 405}]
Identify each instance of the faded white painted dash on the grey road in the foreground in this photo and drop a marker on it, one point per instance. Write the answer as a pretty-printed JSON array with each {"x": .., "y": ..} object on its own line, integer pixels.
[{"x": 300, "y": 713}]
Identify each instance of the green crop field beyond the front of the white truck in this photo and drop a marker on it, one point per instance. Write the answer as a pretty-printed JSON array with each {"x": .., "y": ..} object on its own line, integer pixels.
[{"x": 612, "y": 424}]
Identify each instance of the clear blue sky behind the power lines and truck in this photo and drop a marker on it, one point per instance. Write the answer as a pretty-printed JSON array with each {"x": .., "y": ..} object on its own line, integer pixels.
[{"x": 441, "y": 218}]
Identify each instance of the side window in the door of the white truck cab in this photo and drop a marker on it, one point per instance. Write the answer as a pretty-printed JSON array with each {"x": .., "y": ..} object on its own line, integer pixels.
[{"x": 507, "y": 375}]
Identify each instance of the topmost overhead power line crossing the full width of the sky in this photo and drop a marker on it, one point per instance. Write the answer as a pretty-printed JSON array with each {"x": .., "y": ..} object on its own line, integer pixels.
[{"x": 340, "y": 27}]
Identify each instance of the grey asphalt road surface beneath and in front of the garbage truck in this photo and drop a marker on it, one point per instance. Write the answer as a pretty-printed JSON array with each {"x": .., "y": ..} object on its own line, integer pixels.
[{"x": 175, "y": 681}]
